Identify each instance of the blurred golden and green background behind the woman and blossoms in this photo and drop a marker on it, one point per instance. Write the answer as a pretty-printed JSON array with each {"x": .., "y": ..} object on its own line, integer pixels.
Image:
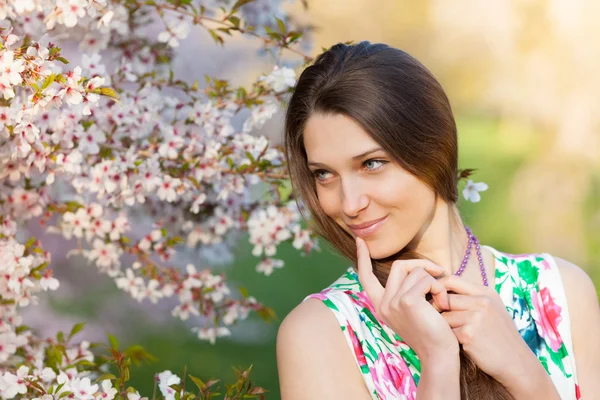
[{"x": 522, "y": 78}]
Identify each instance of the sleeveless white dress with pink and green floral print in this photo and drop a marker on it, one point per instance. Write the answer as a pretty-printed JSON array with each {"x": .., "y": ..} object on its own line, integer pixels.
[{"x": 530, "y": 286}]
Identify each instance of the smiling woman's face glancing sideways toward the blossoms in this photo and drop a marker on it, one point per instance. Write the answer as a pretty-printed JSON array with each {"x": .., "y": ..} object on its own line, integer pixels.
[{"x": 362, "y": 189}]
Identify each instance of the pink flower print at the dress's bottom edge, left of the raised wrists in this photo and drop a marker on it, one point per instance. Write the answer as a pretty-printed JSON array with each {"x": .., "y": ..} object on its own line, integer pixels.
[{"x": 392, "y": 378}]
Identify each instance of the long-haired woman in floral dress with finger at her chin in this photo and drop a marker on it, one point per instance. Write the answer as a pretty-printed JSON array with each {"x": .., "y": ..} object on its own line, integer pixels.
[{"x": 372, "y": 151}]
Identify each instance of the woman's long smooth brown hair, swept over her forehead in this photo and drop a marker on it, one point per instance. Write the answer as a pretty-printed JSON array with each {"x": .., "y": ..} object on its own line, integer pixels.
[{"x": 401, "y": 105}]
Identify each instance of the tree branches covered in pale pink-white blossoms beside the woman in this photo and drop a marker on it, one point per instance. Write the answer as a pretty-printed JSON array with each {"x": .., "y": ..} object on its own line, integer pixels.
[{"x": 90, "y": 151}]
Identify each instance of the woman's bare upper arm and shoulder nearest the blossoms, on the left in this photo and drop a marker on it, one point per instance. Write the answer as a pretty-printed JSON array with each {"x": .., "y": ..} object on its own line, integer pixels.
[{"x": 313, "y": 359}]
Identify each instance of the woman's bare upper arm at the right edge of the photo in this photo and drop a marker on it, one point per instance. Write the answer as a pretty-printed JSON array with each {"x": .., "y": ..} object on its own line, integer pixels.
[{"x": 584, "y": 310}]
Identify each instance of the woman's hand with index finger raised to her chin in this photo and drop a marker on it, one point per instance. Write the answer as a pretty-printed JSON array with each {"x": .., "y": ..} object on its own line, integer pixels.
[{"x": 402, "y": 305}]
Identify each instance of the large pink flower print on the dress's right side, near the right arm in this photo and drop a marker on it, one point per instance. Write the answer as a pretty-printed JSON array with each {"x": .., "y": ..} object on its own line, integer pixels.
[{"x": 547, "y": 317}]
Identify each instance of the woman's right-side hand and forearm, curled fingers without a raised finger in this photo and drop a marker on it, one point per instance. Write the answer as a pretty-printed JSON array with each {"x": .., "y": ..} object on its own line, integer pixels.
[{"x": 479, "y": 319}]
